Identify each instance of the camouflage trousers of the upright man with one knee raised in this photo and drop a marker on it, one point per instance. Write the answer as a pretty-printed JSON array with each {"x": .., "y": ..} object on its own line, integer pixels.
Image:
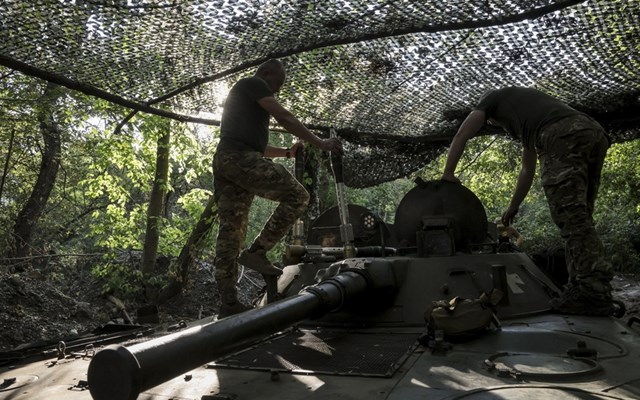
[{"x": 238, "y": 177}]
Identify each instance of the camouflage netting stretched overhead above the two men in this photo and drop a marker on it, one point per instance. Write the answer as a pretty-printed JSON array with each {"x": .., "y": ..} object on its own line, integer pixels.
[{"x": 393, "y": 77}]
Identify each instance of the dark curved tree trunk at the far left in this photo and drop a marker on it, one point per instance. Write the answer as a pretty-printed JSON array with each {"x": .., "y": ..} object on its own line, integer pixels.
[{"x": 33, "y": 208}]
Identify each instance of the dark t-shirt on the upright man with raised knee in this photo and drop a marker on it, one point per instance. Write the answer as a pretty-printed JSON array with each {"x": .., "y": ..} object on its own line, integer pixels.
[{"x": 245, "y": 125}]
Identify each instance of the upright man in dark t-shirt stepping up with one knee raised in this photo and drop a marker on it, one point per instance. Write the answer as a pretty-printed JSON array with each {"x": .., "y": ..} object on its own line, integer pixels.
[{"x": 241, "y": 172}]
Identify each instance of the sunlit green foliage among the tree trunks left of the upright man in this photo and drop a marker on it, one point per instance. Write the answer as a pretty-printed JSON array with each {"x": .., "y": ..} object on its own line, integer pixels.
[{"x": 99, "y": 202}]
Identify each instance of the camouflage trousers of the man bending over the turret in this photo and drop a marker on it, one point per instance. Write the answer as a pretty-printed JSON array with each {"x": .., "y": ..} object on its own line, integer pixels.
[{"x": 571, "y": 153}]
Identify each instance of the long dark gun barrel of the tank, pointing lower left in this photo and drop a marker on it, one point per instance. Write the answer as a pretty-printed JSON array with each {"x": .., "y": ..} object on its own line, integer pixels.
[{"x": 122, "y": 373}]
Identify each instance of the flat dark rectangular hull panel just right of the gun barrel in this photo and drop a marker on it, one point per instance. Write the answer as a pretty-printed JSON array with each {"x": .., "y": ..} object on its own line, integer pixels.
[{"x": 326, "y": 352}]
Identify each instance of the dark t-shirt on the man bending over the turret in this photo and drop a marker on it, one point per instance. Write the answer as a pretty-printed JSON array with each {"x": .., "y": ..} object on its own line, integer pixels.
[{"x": 523, "y": 112}]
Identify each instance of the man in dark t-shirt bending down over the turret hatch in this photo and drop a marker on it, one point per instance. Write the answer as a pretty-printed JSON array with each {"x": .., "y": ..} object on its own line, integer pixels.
[{"x": 571, "y": 148}]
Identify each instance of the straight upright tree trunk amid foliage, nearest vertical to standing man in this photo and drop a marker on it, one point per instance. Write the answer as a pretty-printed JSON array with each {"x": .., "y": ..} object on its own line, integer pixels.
[{"x": 156, "y": 206}]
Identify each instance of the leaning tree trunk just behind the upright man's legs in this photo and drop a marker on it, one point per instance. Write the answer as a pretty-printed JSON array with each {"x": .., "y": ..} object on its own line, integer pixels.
[{"x": 188, "y": 253}]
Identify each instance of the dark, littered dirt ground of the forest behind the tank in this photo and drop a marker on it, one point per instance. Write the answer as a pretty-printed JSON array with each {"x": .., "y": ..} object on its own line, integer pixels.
[{"x": 44, "y": 308}]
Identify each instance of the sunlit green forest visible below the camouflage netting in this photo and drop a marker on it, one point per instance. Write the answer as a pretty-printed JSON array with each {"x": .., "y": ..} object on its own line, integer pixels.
[{"x": 129, "y": 205}]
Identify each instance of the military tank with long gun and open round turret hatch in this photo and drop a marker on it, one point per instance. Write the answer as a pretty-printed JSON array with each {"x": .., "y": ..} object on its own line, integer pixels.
[{"x": 436, "y": 305}]
